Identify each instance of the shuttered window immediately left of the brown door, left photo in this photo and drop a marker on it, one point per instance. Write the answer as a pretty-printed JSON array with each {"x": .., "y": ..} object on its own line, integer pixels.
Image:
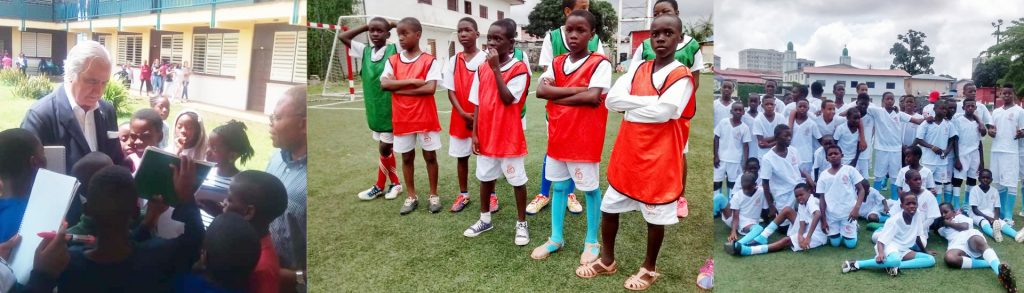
[{"x": 216, "y": 54}]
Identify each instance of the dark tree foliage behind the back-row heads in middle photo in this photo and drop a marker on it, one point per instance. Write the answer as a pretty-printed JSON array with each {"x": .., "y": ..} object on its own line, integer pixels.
[{"x": 548, "y": 15}]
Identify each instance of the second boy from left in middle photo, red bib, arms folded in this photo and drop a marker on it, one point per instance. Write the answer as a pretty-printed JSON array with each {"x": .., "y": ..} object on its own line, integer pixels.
[{"x": 412, "y": 77}]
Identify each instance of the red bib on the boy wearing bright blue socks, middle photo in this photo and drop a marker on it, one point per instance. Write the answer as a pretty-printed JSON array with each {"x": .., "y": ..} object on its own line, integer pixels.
[{"x": 576, "y": 134}]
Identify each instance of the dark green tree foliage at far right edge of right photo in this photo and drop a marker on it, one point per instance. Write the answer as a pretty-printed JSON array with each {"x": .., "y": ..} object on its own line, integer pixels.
[{"x": 1011, "y": 53}]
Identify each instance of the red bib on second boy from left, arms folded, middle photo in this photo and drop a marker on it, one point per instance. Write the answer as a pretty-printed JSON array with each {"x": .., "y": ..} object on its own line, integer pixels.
[{"x": 413, "y": 114}]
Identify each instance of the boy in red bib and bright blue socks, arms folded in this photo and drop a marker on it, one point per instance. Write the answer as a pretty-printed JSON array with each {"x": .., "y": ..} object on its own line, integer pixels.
[{"x": 575, "y": 87}]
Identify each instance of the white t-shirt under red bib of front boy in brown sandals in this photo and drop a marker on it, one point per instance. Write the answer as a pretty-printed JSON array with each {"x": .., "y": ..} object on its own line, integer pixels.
[{"x": 650, "y": 109}]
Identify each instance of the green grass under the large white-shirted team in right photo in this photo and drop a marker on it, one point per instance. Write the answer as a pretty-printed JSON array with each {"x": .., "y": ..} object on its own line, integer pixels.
[{"x": 820, "y": 269}]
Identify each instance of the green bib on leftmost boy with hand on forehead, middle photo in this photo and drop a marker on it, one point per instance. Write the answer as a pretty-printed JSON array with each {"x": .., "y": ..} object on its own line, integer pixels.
[{"x": 377, "y": 101}]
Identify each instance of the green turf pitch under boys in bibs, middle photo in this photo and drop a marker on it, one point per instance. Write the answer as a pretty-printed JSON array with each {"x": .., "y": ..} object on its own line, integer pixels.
[{"x": 357, "y": 246}]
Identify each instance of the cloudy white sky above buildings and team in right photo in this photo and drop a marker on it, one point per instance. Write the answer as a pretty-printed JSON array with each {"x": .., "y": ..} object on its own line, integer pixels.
[{"x": 957, "y": 31}]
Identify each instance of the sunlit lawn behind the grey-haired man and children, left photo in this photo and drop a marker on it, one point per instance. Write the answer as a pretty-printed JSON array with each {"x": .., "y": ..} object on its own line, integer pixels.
[{"x": 14, "y": 111}]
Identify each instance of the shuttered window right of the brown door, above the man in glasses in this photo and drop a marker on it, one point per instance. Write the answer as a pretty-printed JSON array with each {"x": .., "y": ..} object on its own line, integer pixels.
[{"x": 289, "y": 61}]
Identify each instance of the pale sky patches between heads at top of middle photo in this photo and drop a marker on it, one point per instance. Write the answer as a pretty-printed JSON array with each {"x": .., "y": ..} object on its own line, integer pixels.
[{"x": 690, "y": 11}]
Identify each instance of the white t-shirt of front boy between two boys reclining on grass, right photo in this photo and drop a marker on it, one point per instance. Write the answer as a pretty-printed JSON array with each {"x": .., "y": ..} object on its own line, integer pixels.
[{"x": 840, "y": 190}]
